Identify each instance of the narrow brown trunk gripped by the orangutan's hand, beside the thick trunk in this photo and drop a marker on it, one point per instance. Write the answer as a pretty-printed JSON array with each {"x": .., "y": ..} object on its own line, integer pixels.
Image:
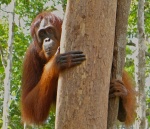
[{"x": 123, "y": 7}]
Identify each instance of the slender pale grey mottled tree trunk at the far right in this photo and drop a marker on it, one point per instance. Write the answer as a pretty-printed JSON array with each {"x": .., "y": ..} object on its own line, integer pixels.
[{"x": 140, "y": 69}]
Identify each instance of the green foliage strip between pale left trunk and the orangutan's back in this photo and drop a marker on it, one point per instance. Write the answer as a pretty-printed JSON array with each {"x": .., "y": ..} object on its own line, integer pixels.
[{"x": 19, "y": 48}]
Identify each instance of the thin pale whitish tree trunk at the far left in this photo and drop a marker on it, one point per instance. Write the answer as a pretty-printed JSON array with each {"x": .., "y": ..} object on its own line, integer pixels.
[{"x": 8, "y": 68}]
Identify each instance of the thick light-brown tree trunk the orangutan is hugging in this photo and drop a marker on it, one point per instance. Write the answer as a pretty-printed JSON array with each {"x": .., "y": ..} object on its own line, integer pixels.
[{"x": 82, "y": 99}]
